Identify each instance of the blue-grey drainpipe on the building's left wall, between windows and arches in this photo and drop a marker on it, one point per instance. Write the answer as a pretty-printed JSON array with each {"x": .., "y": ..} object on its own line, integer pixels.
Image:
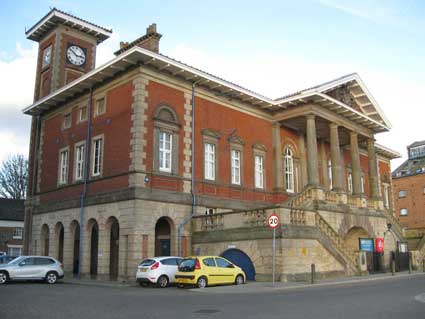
[{"x": 86, "y": 179}]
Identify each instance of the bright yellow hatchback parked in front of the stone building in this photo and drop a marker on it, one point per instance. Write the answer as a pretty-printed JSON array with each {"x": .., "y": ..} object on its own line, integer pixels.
[{"x": 204, "y": 271}]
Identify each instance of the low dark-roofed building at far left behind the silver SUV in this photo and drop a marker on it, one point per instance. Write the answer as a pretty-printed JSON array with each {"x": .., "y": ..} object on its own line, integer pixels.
[{"x": 11, "y": 226}]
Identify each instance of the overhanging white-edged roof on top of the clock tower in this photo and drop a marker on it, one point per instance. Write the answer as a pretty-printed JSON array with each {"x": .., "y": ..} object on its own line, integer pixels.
[{"x": 55, "y": 17}]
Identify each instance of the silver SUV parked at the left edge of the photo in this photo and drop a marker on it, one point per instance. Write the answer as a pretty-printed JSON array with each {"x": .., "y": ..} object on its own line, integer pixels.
[{"x": 32, "y": 268}]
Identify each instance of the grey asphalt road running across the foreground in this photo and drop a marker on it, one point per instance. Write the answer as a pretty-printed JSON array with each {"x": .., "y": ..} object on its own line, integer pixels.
[{"x": 395, "y": 298}]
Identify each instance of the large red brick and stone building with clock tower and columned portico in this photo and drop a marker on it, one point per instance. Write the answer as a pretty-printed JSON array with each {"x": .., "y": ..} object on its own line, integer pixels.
[{"x": 146, "y": 155}]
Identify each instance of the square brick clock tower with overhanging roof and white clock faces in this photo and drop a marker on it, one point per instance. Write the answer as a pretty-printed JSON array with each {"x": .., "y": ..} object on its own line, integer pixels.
[{"x": 67, "y": 49}]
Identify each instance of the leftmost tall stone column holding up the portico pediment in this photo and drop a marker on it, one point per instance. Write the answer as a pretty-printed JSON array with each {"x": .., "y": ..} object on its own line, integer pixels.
[{"x": 312, "y": 163}]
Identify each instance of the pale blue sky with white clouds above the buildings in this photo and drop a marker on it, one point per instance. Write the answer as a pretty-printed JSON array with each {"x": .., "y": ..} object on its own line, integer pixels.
[{"x": 271, "y": 47}]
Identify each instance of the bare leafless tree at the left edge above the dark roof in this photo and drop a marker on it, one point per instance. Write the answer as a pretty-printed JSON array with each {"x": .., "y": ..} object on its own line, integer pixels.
[{"x": 14, "y": 177}]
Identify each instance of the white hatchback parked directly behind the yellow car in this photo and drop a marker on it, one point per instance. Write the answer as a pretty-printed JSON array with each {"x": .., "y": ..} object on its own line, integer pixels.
[{"x": 158, "y": 270}]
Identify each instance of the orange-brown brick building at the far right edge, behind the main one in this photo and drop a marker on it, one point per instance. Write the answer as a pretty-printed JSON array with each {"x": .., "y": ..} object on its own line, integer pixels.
[{"x": 409, "y": 196}]
